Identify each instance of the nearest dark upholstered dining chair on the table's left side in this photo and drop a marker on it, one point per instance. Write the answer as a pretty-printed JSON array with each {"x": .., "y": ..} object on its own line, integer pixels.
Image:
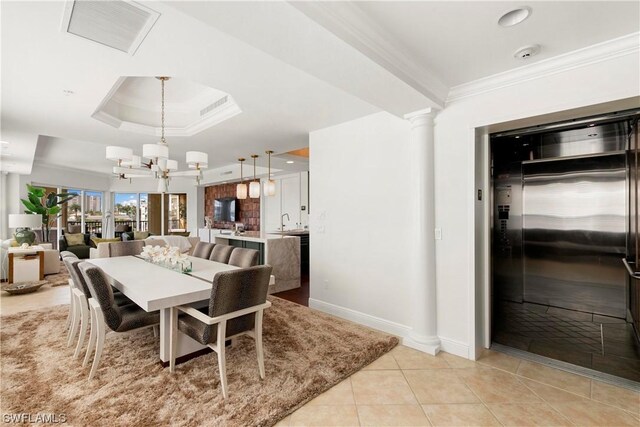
[{"x": 106, "y": 313}]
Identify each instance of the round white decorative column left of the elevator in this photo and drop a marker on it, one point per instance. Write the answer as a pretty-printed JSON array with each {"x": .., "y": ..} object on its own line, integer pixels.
[{"x": 424, "y": 333}]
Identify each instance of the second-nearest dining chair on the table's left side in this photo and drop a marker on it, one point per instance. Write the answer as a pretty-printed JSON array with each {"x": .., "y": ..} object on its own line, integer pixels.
[{"x": 80, "y": 295}]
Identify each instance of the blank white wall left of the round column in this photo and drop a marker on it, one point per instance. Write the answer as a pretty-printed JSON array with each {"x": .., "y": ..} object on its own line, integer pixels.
[{"x": 360, "y": 222}]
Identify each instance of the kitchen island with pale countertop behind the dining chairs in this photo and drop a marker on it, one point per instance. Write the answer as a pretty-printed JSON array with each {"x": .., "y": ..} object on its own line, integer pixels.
[{"x": 281, "y": 252}]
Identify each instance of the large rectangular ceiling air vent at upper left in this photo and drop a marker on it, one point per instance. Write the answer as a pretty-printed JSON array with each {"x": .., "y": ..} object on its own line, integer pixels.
[{"x": 122, "y": 25}]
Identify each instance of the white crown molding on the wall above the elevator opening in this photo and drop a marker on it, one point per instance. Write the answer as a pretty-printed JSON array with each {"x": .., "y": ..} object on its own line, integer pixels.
[{"x": 610, "y": 49}]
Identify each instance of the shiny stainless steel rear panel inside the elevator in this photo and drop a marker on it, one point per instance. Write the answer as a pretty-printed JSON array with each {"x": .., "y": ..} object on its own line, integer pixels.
[{"x": 574, "y": 233}]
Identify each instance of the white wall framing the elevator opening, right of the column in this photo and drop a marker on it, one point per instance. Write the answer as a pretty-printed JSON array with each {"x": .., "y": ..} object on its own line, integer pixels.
[{"x": 458, "y": 146}]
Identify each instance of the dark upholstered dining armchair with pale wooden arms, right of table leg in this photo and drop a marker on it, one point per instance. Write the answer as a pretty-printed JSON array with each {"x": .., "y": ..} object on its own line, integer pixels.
[{"x": 238, "y": 299}]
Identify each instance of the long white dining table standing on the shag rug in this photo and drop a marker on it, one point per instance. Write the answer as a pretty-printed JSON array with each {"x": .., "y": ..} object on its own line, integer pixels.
[{"x": 153, "y": 287}]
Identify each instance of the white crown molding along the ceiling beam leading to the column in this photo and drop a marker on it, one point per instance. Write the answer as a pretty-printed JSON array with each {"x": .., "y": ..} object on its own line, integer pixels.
[{"x": 354, "y": 27}]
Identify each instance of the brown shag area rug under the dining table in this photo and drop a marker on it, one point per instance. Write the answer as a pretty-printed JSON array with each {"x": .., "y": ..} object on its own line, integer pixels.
[{"x": 306, "y": 353}]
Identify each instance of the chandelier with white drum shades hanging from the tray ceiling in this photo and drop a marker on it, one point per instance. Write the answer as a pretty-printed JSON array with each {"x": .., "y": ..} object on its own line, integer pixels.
[{"x": 159, "y": 165}]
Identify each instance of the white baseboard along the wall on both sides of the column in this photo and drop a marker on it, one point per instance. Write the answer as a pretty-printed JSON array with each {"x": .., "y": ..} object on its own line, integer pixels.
[{"x": 404, "y": 332}]
